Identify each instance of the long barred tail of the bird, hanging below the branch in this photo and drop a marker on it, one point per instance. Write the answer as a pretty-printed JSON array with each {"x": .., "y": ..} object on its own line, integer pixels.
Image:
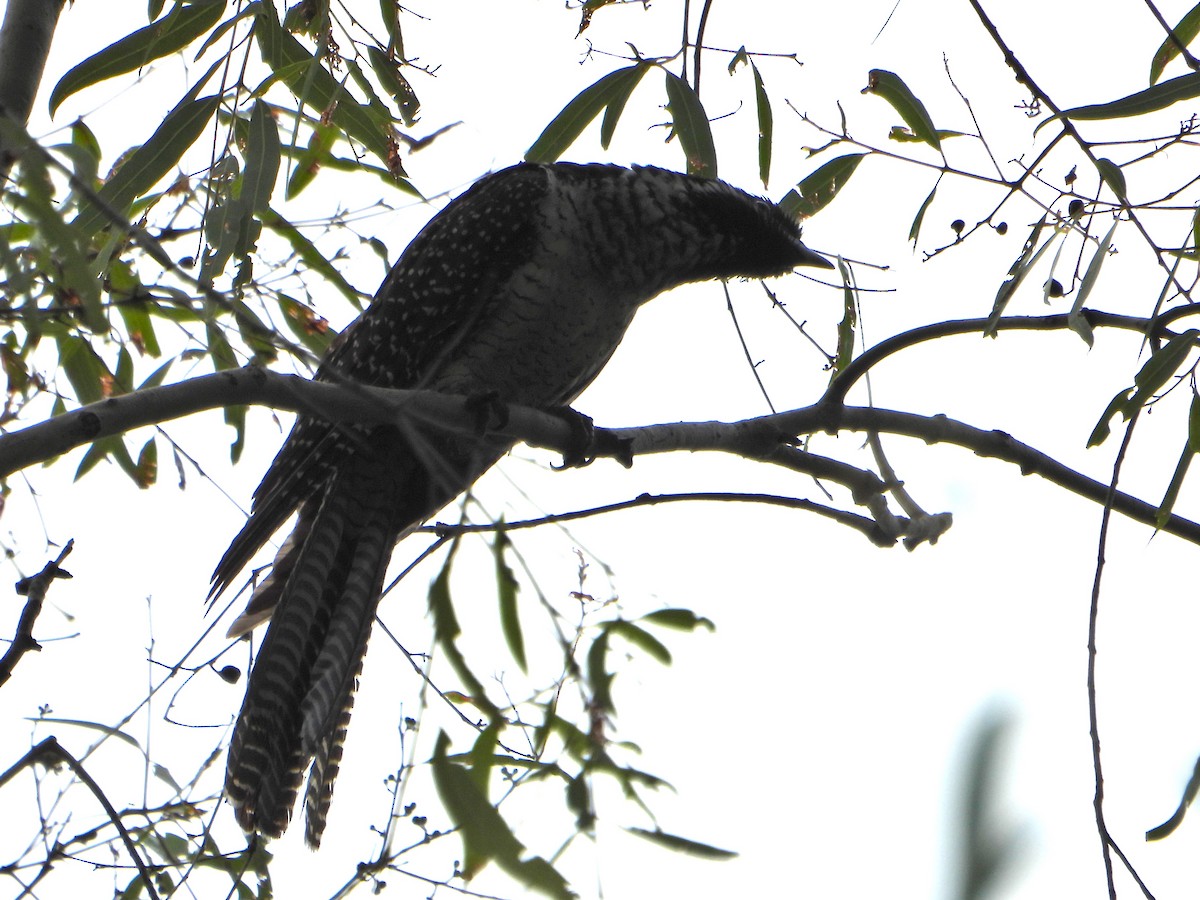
[{"x": 329, "y": 578}]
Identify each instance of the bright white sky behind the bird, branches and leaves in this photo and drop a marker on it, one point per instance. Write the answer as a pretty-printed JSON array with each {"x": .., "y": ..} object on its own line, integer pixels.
[{"x": 819, "y": 730}]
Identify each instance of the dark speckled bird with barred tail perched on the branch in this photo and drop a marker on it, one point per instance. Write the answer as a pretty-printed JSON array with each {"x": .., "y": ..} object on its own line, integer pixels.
[{"x": 520, "y": 290}]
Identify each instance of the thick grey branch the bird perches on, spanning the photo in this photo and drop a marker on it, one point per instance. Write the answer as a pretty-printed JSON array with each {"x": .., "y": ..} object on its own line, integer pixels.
[{"x": 771, "y": 439}]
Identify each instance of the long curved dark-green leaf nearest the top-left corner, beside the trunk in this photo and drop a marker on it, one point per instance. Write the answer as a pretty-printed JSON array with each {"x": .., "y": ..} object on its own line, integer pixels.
[{"x": 160, "y": 39}]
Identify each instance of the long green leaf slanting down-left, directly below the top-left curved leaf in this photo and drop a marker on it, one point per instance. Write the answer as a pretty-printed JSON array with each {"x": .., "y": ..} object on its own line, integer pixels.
[{"x": 151, "y": 163}]
